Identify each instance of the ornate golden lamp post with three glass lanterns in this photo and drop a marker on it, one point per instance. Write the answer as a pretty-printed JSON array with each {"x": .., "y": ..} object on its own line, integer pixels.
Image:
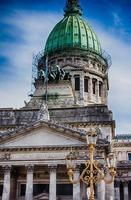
[{"x": 92, "y": 174}]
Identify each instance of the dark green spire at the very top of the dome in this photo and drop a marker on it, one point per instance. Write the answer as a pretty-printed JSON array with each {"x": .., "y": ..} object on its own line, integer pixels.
[{"x": 73, "y": 7}]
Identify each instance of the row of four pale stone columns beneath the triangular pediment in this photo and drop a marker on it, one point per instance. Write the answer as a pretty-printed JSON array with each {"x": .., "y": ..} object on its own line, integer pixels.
[{"x": 29, "y": 183}]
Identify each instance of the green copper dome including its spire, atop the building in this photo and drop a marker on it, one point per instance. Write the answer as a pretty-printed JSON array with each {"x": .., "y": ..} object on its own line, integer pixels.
[{"x": 72, "y": 32}]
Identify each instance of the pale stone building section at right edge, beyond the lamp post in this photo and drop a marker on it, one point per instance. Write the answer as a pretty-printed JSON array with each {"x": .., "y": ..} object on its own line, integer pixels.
[{"x": 122, "y": 149}]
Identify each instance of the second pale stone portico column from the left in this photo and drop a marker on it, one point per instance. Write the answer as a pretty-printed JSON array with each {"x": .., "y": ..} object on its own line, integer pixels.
[{"x": 29, "y": 183}]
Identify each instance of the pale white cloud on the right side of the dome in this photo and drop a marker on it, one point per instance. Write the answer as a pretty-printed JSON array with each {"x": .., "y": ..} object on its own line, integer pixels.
[{"x": 119, "y": 79}]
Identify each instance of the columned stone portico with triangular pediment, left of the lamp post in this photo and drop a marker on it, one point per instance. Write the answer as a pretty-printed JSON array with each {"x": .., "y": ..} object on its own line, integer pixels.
[{"x": 35, "y": 172}]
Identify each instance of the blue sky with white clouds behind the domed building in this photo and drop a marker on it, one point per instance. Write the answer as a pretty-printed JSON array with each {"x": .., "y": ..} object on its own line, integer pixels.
[{"x": 24, "y": 28}]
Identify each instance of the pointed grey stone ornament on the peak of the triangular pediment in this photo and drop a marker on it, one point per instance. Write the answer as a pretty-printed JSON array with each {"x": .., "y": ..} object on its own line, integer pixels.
[{"x": 43, "y": 113}]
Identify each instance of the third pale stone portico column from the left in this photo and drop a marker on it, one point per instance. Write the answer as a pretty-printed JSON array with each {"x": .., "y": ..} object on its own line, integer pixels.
[{"x": 52, "y": 186}]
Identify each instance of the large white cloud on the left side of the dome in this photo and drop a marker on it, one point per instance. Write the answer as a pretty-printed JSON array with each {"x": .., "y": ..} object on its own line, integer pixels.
[{"x": 31, "y": 30}]
